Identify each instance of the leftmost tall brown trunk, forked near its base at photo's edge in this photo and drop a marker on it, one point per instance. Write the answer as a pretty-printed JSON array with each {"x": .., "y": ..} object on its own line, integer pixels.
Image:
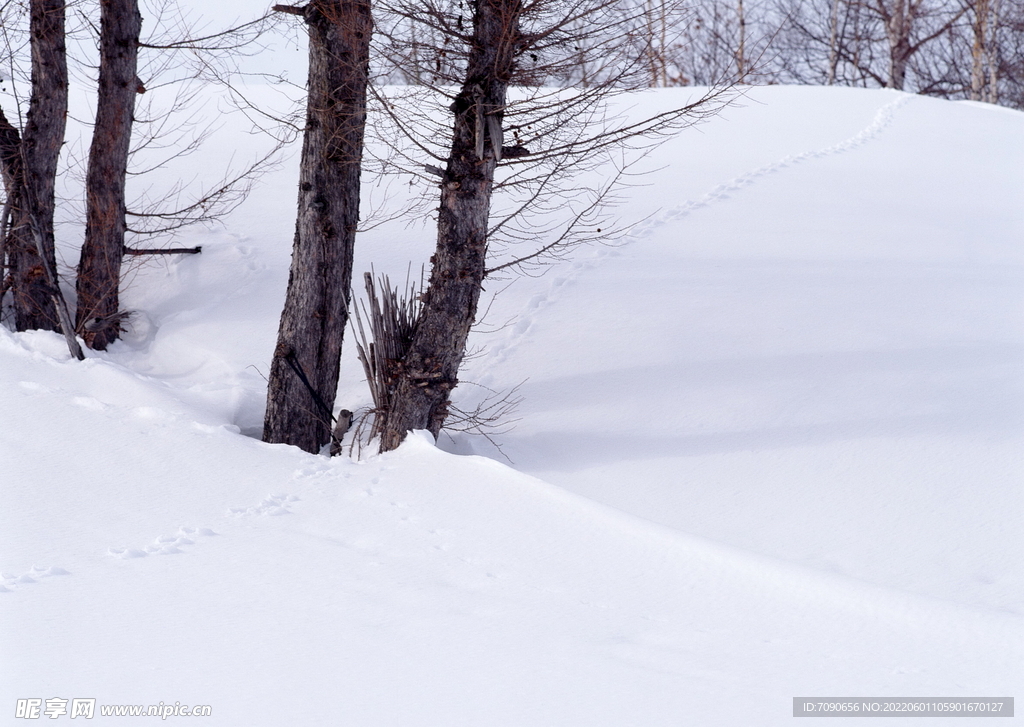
[{"x": 41, "y": 142}]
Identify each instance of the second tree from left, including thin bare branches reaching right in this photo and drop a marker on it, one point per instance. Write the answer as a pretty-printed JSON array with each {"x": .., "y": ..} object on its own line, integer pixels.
[{"x": 186, "y": 64}]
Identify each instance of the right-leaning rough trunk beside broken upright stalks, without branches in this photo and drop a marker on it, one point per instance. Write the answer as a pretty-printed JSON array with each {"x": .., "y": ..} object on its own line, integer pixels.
[{"x": 431, "y": 369}]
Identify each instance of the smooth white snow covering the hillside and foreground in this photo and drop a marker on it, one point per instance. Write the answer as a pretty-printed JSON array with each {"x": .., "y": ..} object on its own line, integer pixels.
[{"x": 771, "y": 447}]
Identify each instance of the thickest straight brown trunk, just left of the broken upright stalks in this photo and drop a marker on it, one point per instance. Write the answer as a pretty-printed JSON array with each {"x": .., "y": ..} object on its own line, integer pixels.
[{"x": 316, "y": 313}]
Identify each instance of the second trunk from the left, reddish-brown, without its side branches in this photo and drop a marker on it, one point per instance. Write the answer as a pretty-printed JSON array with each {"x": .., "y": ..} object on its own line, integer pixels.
[{"x": 100, "y": 267}]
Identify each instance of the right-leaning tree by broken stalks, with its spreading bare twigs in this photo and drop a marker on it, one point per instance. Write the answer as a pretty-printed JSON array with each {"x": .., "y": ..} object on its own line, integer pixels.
[{"x": 515, "y": 139}]
